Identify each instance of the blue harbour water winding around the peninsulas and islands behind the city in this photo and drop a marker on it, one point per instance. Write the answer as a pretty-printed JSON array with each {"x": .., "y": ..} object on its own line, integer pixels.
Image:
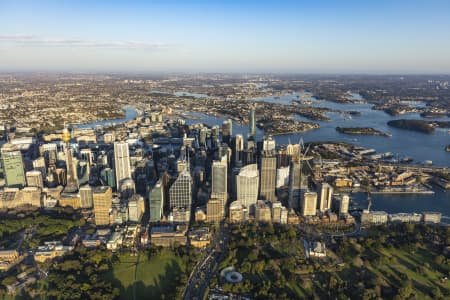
[{"x": 404, "y": 143}]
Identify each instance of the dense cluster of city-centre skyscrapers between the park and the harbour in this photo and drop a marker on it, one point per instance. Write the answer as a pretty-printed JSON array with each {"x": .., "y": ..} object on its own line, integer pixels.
[{"x": 190, "y": 169}]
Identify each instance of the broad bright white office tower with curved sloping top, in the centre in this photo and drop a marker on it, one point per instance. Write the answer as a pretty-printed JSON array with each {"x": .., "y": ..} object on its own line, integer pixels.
[{"x": 247, "y": 182}]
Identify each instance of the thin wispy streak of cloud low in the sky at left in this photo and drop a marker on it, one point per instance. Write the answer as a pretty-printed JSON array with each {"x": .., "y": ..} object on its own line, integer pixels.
[{"x": 37, "y": 41}]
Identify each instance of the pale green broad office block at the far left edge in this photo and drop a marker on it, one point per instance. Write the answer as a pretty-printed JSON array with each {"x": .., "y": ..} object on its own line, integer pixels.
[{"x": 13, "y": 166}]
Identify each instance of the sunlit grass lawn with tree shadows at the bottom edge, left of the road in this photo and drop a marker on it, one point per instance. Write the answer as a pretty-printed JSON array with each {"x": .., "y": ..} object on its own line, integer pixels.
[{"x": 154, "y": 277}]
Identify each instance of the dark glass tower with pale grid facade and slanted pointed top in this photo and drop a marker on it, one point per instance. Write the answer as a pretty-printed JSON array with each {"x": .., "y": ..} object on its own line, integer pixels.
[{"x": 180, "y": 193}]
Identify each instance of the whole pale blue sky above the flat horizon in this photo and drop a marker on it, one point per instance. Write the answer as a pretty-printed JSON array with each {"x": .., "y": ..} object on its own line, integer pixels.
[{"x": 345, "y": 36}]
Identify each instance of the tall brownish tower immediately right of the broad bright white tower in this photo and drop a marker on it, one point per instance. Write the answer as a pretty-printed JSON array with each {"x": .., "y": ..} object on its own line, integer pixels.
[{"x": 268, "y": 175}]
